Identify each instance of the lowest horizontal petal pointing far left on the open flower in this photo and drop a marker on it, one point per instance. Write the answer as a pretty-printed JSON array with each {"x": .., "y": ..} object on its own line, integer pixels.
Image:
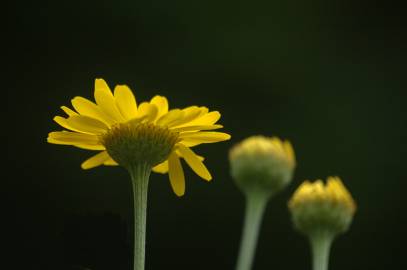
[{"x": 72, "y": 138}]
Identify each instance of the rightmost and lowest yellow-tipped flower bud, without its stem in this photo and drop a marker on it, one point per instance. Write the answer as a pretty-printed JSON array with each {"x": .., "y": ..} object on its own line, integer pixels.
[{"x": 315, "y": 206}]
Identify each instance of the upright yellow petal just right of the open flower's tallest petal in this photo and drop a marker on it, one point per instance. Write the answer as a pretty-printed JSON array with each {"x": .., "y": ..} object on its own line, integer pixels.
[{"x": 126, "y": 102}]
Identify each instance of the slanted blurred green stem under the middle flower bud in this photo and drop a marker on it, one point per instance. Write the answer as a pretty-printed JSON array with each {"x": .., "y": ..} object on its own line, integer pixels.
[{"x": 255, "y": 206}]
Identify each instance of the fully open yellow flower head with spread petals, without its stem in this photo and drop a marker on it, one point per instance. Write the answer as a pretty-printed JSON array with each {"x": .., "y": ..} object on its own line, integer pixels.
[{"x": 127, "y": 133}]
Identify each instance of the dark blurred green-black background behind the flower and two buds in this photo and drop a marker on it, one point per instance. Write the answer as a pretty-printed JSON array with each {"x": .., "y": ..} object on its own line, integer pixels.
[{"x": 328, "y": 75}]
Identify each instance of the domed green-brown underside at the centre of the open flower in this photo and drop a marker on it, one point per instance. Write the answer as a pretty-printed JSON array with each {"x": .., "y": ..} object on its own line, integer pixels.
[{"x": 132, "y": 143}]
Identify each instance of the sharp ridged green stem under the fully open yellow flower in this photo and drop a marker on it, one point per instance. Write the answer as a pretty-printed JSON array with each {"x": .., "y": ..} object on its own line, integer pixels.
[{"x": 140, "y": 175}]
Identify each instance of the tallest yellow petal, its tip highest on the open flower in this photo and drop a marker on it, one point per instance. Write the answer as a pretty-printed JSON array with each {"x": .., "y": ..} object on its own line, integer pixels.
[{"x": 105, "y": 99}]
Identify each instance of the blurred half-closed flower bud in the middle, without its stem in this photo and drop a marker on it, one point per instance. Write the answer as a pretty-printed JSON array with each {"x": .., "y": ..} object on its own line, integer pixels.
[{"x": 262, "y": 163}]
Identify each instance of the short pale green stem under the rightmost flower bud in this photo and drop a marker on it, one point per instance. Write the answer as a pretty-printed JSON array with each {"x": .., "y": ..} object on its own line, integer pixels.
[{"x": 320, "y": 243}]
